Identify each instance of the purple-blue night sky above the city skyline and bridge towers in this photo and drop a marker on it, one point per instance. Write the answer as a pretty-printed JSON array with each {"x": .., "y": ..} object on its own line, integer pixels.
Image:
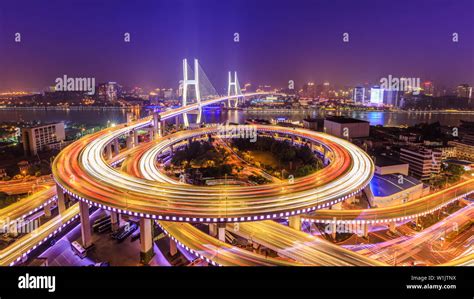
[{"x": 279, "y": 41}]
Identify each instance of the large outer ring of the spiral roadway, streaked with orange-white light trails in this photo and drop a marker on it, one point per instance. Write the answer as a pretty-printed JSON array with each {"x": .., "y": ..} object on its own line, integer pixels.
[{"x": 82, "y": 171}]
